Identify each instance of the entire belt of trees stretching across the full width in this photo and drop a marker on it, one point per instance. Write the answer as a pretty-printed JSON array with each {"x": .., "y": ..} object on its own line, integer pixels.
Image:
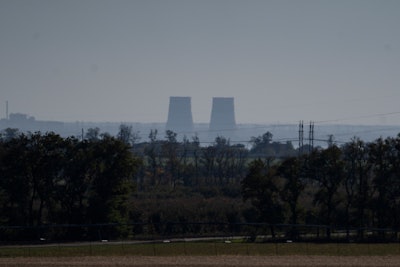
[{"x": 47, "y": 179}]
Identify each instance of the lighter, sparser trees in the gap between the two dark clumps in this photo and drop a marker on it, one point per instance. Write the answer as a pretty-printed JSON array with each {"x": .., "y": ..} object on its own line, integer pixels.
[{"x": 188, "y": 163}]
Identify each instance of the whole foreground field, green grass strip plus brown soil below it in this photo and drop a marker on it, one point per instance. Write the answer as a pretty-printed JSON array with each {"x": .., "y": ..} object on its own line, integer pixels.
[{"x": 201, "y": 254}]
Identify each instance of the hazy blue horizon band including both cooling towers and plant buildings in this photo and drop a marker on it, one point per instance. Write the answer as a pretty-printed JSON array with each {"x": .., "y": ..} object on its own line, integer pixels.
[{"x": 222, "y": 124}]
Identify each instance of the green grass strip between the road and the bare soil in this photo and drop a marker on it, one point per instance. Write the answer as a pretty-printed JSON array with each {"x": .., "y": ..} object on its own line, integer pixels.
[{"x": 216, "y": 248}]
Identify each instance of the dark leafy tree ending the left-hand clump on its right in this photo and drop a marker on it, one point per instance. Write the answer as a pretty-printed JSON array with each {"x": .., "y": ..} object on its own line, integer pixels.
[{"x": 112, "y": 183}]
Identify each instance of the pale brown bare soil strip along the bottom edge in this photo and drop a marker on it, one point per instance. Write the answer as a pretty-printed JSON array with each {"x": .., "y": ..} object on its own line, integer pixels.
[{"x": 204, "y": 261}]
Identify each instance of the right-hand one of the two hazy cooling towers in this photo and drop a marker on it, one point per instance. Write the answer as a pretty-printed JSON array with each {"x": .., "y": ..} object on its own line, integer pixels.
[{"x": 222, "y": 115}]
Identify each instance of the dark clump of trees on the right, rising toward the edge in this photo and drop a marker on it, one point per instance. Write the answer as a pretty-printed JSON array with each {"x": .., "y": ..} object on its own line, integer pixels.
[{"x": 356, "y": 186}]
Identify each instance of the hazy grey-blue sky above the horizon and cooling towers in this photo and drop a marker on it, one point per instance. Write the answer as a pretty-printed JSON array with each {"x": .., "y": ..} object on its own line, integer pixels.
[{"x": 282, "y": 61}]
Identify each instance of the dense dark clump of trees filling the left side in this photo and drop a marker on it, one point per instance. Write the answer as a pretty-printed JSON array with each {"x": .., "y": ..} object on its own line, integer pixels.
[{"x": 46, "y": 179}]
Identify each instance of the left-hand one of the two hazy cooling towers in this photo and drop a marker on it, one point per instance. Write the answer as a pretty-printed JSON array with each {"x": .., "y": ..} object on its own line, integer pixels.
[{"x": 180, "y": 114}]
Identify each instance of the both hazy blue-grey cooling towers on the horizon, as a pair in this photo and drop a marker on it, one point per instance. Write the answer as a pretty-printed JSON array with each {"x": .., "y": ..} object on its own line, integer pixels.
[{"x": 180, "y": 114}]
